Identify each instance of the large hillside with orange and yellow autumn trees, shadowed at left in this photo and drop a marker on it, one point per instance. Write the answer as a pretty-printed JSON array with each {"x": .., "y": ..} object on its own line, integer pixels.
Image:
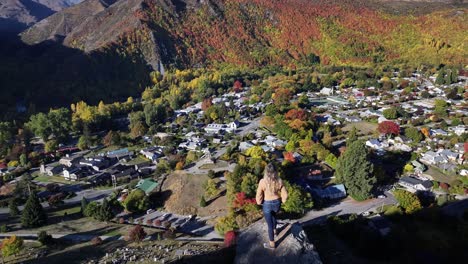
[{"x": 104, "y": 49}]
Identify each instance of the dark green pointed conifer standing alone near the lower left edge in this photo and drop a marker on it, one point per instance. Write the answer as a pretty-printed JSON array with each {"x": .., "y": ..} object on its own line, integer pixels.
[{"x": 33, "y": 214}]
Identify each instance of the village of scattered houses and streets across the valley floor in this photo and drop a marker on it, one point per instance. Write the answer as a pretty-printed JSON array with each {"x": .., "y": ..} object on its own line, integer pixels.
[{"x": 433, "y": 164}]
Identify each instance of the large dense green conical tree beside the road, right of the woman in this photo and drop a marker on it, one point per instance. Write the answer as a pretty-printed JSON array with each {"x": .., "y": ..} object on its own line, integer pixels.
[{"x": 356, "y": 172}]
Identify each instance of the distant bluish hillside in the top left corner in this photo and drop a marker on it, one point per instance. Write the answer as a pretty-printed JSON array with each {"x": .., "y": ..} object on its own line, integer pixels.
[{"x": 16, "y": 15}]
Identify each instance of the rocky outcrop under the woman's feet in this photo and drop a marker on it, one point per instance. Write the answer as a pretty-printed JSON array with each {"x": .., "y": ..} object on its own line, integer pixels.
[{"x": 293, "y": 248}]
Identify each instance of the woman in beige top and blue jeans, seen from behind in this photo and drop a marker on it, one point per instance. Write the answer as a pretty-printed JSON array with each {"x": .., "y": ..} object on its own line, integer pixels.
[{"x": 271, "y": 193}]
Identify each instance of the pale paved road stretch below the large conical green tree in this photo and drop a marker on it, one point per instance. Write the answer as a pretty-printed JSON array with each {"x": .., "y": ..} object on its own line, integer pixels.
[{"x": 347, "y": 206}]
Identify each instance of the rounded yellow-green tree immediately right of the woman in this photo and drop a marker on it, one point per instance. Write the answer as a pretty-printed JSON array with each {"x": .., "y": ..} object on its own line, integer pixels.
[{"x": 298, "y": 200}]
